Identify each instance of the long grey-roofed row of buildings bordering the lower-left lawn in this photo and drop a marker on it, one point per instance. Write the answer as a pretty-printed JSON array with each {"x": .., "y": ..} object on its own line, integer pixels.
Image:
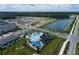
[{"x": 7, "y": 40}]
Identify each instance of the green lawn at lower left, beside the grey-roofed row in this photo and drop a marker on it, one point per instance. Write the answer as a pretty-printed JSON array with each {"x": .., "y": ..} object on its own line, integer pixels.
[{"x": 18, "y": 49}]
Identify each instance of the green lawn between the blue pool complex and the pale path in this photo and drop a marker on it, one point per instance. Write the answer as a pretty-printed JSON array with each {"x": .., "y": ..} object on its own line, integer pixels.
[{"x": 53, "y": 47}]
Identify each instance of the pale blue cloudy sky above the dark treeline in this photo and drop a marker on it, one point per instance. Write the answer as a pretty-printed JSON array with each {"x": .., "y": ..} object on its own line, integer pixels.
[{"x": 39, "y": 7}]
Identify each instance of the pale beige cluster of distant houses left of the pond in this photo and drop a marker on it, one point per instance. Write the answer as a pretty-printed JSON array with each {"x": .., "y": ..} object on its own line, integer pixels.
[{"x": 23, "y": 21}]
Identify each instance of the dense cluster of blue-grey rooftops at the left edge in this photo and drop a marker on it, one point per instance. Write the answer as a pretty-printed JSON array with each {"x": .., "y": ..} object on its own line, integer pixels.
[{"x": 6, "y": 27}]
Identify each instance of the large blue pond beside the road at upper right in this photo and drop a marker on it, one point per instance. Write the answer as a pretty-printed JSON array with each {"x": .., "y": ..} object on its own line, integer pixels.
[{"x": 59, "y": 25}]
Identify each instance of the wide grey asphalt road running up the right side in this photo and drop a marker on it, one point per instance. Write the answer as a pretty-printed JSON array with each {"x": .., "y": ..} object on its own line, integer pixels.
[{"x": 73, "y": 40}]
